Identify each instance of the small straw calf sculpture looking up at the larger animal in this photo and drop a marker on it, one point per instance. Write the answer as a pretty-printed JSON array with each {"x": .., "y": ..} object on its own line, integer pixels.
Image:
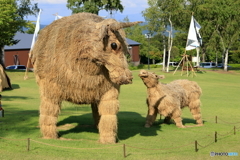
[{"x": 169, "y": 99}]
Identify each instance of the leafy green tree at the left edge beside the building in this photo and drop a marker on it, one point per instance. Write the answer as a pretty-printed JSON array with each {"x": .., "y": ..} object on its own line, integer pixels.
[{"x": 12, "y": 13}]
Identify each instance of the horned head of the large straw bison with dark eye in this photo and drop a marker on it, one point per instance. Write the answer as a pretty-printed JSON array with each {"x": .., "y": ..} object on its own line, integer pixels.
[{"x": 114, "y": 50}]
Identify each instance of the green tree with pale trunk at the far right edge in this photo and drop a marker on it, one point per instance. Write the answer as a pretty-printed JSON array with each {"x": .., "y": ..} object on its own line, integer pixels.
[{"x": 223, "y": 18}]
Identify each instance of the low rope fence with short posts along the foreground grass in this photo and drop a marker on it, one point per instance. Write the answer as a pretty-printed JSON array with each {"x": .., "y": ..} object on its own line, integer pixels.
[{"x": 195, "y": 144}]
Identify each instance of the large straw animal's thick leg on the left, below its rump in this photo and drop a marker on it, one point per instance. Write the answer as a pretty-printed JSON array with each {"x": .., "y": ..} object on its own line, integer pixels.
[{"x": 49, "y": 111}]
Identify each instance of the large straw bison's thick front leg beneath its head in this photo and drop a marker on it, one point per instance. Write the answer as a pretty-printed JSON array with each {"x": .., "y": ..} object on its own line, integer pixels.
[{"x": 108, "y": 109}]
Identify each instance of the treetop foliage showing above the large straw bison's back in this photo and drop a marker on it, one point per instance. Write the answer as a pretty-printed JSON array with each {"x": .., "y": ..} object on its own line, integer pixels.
[{"x": 94, "y": 6}]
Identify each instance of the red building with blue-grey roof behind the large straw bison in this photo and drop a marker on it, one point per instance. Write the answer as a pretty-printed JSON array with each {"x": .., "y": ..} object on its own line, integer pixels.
[{"x": 18, "y": 54}]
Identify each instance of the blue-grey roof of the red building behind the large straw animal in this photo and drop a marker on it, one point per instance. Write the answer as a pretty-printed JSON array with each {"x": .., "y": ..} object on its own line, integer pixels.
[{"x": 26, "y": 41}]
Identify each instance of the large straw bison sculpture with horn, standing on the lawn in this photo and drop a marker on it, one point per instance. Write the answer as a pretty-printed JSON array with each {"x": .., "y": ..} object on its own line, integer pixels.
[{"x": 81, "y": 59}]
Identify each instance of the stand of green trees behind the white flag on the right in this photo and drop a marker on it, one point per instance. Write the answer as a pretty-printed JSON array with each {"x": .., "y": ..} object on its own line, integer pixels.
[{"x": 219, "y": 20}]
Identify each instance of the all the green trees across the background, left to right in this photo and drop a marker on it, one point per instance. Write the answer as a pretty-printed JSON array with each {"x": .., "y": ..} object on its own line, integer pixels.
[{"x": 219, "y": 20}]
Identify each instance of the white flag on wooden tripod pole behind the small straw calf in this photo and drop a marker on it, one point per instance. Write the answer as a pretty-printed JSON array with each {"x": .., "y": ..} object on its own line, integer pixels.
[{"x": 194, "y": 39}]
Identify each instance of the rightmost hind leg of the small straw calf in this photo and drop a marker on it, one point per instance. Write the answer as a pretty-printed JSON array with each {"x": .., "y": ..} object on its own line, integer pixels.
[{"x": 194, "y": 106}]
